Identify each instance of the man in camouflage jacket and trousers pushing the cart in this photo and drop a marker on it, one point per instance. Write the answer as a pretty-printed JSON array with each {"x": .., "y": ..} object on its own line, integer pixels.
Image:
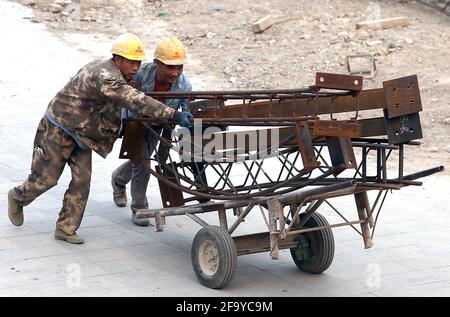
[{"x": 84, "y": 116}]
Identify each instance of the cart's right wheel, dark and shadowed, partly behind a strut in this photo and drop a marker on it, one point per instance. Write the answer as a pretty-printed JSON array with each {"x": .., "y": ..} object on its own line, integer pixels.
[{"x": 315, "y": 250}]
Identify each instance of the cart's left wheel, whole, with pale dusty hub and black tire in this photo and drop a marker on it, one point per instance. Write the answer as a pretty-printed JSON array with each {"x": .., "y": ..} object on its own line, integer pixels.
[{"x": 214, "y": 257}]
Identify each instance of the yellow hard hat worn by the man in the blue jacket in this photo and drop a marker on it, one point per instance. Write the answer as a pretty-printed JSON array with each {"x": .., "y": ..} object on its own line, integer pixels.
[{"x": 170, "y": 51}]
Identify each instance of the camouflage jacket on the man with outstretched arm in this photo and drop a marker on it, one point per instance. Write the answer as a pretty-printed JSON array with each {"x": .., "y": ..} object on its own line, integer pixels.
[{"x": 90, "y": 105}]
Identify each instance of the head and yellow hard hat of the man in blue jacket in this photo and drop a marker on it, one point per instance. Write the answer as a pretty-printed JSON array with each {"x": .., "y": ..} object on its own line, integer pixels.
[{"x": 170, "y": 56}]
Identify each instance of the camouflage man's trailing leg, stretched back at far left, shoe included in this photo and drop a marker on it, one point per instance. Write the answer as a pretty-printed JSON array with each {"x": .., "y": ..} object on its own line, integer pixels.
[{"x": 47, "y": 164}]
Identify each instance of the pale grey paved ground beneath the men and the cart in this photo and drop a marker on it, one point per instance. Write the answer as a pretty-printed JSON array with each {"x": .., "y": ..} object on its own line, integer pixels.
[{"x": 411, "y": 255}]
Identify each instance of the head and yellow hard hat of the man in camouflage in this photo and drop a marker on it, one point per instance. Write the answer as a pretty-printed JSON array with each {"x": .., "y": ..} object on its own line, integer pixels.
[{"x": 128, "y": 52}]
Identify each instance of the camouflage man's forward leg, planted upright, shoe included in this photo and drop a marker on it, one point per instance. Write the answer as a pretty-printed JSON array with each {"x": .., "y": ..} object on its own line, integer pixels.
[{"x": 76, "y": 196}]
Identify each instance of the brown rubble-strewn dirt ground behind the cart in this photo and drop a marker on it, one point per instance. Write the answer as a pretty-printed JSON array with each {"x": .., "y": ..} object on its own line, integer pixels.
[{"x": 309, "y": 37}]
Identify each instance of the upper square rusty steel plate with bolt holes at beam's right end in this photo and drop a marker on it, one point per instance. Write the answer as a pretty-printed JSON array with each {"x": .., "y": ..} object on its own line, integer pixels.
[{"x": 402, "y": 96}]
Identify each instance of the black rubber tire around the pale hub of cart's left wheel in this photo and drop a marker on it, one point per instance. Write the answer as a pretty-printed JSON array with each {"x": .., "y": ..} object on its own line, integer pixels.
[{"x": 226, "y": 252}]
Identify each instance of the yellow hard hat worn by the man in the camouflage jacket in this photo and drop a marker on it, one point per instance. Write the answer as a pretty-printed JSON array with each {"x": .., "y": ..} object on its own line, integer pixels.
[{"x": 129, "y": 46}]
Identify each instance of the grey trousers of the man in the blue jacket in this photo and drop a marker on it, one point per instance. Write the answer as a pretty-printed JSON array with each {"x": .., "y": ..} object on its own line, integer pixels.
[{"x": 139, "y": 174}]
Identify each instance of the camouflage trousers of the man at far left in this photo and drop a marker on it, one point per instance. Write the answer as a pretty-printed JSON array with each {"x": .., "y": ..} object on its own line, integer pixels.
[{"x": 53, "y": 149}]
